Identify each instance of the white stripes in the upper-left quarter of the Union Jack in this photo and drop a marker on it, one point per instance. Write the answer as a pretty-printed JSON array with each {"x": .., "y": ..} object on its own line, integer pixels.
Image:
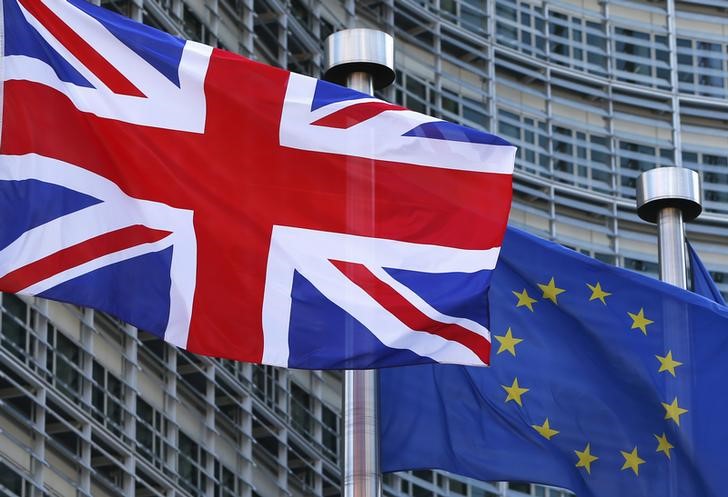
[{"x": 164, "y": 105}]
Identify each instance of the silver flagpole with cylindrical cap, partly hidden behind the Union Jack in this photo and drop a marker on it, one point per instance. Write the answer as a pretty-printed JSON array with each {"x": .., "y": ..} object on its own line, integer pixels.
[{"x": 362, "y": 59}]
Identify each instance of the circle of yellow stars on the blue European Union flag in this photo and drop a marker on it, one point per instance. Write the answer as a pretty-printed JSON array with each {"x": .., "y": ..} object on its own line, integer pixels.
[{"x": 667, "y": 364}]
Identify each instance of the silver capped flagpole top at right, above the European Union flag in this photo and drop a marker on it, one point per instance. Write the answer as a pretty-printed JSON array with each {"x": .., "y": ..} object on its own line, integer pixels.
[{"x": 669, "y": 196}]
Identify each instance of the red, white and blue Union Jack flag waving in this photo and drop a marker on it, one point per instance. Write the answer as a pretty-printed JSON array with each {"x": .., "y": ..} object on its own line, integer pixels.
[{"x": 235, "y": 209}]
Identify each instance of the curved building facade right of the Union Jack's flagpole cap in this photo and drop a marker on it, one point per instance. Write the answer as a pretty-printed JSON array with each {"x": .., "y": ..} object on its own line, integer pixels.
[{"x": 593, "y": 93}]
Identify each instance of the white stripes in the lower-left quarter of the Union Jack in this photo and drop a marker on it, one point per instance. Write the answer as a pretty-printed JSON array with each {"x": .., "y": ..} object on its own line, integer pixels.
[{"x": 117, "y": 210}]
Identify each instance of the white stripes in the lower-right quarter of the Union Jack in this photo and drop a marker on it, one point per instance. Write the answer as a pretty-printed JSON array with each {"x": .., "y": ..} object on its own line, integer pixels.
[{"x": 310, "y": 253}]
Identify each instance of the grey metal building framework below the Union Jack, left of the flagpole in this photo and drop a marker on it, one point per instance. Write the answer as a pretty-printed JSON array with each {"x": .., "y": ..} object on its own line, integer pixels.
[{"x": 91, "y": 406}]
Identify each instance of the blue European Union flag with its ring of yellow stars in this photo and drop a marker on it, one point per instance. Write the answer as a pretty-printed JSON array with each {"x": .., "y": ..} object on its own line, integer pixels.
[{"x": 602, "y": 381}]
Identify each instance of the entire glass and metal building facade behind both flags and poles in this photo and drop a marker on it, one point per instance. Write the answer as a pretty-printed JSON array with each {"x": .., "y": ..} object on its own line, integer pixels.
[{"x": 592, "y": 92}]
